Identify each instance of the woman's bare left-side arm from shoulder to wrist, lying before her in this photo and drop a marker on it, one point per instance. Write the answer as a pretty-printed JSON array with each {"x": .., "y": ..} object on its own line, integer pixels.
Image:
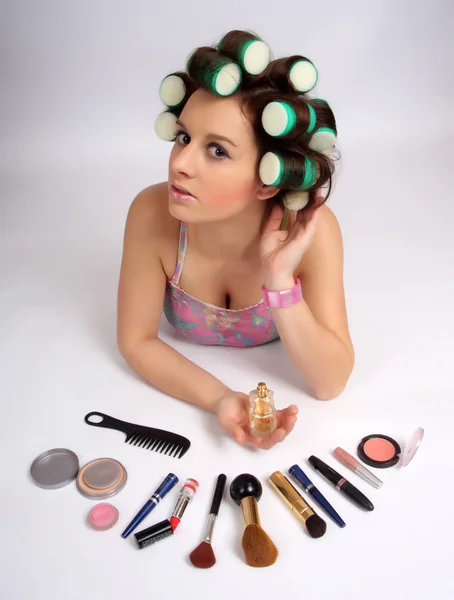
[{"x": 140, "y": 302}]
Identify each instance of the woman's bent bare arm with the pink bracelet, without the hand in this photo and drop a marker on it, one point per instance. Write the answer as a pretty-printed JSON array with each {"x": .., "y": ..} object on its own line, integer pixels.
[{"x": 314, "y": 331}]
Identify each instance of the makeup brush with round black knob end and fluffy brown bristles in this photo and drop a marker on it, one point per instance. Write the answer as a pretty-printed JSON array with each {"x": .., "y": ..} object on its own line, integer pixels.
[{"x": 258, "y": 548}]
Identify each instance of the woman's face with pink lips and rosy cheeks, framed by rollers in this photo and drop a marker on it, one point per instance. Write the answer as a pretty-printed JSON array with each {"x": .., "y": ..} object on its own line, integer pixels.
[{"x": 214, "y": 158}]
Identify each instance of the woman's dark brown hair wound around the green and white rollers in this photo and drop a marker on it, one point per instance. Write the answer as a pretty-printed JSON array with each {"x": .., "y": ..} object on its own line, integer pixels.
[{"x": 255, "y": 93}]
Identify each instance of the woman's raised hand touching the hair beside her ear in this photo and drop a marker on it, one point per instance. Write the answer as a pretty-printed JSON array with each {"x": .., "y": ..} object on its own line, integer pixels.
[{"x": 281, "y": 251}]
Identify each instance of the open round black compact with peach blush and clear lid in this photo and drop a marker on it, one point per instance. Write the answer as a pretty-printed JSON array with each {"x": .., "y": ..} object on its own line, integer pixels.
[{"x": 382, "y": 451}]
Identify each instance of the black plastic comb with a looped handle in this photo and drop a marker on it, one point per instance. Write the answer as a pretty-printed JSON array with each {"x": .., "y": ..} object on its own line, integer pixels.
[{"x": 158, "y": 440}]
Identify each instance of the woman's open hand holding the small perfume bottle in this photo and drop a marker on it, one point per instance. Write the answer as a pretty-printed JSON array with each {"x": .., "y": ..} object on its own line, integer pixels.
[{"x": 232, "y": 411}]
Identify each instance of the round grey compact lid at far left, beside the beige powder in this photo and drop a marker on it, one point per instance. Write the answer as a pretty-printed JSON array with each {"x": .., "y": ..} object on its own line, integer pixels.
[{"x": 54, "y": 468}]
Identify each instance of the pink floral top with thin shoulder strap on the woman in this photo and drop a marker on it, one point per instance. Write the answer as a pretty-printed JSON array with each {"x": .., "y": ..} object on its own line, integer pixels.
[{"x": 208, "y": 324}]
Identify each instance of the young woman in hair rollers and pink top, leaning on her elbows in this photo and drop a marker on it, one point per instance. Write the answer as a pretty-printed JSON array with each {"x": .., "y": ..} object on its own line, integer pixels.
[{"x": 237, "y": 247}]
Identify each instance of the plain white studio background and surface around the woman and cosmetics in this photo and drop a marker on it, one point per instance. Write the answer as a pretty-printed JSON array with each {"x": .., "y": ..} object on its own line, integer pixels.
[{"x": 79, "y": 95}]
